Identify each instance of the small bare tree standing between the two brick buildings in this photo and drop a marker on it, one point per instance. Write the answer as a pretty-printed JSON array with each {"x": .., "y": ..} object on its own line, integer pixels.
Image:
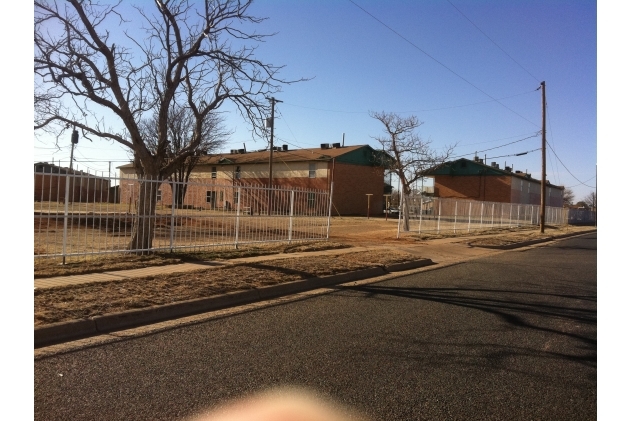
[{"x": 412, "y": 156}]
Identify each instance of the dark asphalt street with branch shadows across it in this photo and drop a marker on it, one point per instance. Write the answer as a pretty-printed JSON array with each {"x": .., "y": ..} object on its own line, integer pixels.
[{"x": 509, "y": 336}]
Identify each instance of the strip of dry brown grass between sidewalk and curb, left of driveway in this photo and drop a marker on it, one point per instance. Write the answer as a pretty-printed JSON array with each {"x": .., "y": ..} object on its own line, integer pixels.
[{"x": 88, "y": 300}]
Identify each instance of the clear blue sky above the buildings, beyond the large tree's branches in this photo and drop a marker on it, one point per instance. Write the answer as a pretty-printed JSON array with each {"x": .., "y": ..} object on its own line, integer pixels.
[{"x": 468, "y": 69}]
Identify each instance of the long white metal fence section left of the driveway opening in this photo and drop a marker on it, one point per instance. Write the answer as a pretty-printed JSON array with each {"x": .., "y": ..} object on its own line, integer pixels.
[{"x": 82, "y": 214}]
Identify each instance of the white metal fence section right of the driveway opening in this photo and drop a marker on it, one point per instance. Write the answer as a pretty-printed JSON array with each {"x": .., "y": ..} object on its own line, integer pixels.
[{"x": 456, "y": 216}]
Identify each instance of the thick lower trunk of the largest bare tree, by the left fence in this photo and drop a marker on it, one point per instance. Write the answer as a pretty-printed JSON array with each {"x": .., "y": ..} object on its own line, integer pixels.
[{"x": 144, "y": 221}]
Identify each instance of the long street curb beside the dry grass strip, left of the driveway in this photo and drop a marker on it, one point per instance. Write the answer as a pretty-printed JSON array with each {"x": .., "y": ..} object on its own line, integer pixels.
[{"x": 77, "y": 329}]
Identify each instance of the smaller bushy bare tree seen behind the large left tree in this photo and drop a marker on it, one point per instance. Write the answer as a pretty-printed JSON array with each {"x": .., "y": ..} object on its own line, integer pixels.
[{"x": 181, "y": 125}]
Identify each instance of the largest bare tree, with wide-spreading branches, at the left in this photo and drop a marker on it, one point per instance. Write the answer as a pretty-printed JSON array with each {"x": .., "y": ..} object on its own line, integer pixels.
[{"x": 197, "y": 54}]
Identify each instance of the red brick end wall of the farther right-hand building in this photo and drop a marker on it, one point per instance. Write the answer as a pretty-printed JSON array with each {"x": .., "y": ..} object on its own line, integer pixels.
[{"x": 474, "y": 187}]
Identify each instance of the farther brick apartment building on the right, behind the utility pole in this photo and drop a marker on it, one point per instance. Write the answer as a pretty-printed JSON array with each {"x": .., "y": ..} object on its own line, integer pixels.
[{"x": 473, "y": 180}]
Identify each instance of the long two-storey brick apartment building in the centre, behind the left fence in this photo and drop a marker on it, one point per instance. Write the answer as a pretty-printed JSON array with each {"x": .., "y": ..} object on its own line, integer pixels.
[{"x": 354, "y": 171}]
